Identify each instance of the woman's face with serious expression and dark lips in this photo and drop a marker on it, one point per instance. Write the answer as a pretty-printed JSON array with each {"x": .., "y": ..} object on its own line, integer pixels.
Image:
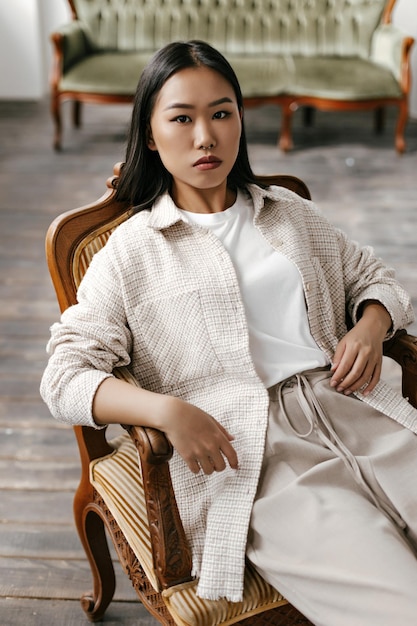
[{"x": 195, "y": 128}]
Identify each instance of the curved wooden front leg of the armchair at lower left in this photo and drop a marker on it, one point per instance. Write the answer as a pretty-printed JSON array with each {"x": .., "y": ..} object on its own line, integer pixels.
[{"x": 91, "y": 530}]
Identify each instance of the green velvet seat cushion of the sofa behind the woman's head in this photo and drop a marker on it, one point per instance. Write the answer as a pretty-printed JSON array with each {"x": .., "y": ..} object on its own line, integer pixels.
[{"x": 259, "y": 76}]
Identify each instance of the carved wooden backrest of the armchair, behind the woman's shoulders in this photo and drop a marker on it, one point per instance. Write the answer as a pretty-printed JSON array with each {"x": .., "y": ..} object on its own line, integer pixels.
[{"x": 75, "y": 236}]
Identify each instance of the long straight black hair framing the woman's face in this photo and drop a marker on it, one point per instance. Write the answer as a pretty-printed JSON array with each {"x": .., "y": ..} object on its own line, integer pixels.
[{"x": 143, "y": 177}]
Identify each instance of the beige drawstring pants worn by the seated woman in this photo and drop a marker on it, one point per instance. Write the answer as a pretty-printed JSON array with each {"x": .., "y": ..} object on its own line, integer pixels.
[{"x": 334, "y": 524}]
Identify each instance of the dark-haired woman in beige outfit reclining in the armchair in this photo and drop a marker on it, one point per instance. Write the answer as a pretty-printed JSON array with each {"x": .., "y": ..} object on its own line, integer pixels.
[{"x": 228, "y": 302}]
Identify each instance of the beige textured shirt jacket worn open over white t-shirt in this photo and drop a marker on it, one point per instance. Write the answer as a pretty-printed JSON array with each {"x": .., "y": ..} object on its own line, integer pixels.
[{"x": 163, "y": 297}]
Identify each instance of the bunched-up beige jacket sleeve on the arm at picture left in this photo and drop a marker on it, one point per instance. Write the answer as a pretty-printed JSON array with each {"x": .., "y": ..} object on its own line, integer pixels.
[{"x": 91, "y": 339}]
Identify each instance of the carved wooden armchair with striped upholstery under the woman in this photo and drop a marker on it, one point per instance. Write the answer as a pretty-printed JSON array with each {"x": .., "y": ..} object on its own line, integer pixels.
[{"x": 135, "y": 500}]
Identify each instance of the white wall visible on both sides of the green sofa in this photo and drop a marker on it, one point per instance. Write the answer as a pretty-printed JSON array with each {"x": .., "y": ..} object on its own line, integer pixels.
[{"x": 25, "y": 48}]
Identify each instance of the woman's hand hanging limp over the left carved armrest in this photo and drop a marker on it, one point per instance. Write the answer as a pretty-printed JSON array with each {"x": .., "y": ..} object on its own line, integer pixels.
[{"x": 201, "y": 440}]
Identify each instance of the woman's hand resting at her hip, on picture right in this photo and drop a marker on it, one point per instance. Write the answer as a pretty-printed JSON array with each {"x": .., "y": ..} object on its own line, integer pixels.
[{"x": 357, "y": 362}]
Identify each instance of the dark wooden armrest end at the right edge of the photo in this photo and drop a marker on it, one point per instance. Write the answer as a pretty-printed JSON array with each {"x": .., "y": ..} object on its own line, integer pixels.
[{"x": 402, "y": 348}]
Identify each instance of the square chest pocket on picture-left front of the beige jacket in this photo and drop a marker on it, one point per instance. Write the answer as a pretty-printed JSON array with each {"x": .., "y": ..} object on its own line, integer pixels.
[{"x": 174, "y": 339}]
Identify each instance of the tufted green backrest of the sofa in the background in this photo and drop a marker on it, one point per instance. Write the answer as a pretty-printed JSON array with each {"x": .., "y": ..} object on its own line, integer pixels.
[{"x": 235, "y": 26}]
